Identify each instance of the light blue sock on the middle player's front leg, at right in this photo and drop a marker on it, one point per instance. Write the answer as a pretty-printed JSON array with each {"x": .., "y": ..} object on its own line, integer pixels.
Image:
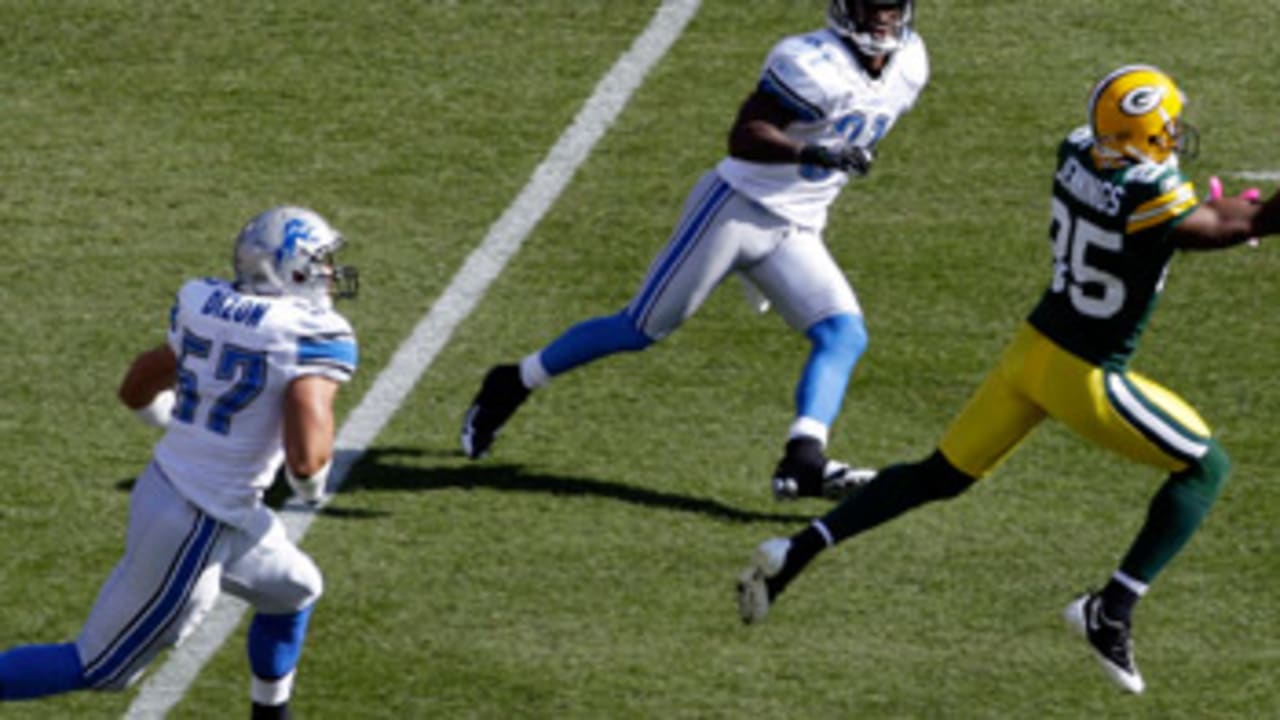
[{"x": 838, "y": 344}]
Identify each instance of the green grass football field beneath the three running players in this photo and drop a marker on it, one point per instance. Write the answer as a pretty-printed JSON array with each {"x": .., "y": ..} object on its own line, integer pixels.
[{"x": 587, "y": 569}]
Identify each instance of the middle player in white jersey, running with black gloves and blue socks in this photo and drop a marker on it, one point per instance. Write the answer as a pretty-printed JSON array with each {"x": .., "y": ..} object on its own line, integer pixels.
[{"x": 822, "y": 104}]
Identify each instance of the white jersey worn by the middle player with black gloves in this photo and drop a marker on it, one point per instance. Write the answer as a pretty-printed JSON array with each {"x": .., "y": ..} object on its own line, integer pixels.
[{"x": 838, "y": 103}]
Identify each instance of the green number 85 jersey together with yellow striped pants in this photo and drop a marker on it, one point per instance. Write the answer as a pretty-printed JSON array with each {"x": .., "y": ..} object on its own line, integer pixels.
[{"x": 1110, "y": 238}]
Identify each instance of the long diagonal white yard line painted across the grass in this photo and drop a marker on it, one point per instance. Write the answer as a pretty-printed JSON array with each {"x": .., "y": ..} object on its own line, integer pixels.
[{"x": 167, "y": 686}]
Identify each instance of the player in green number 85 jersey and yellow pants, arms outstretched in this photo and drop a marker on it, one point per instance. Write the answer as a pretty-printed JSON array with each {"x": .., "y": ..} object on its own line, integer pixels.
[{"x": 1121, "y": 208}]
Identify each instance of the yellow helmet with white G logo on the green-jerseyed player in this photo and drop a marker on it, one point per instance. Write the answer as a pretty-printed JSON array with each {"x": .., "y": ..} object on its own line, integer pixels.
[{"x": 1136, "y": 113}]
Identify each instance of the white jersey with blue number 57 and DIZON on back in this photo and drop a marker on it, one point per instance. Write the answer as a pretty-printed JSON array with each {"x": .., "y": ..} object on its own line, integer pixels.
[{"x": 237, "y": 354}]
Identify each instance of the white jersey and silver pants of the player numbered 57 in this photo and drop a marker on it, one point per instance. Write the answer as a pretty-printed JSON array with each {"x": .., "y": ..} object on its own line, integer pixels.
[{"x": 198, "y": 525}]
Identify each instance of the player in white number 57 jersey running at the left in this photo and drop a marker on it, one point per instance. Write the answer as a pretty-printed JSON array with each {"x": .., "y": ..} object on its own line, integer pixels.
[{"x": 246, "y": 381}]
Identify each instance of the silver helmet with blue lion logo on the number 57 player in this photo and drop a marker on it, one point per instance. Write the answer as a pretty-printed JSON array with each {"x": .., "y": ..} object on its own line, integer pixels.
[{"x": 289, "y": 250}]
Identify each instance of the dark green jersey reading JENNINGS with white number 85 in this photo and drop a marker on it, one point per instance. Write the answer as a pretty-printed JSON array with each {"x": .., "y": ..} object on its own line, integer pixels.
[{"x": 1110, "y": 233}]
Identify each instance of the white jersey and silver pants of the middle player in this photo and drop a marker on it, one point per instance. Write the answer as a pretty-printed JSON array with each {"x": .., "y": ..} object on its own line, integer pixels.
[{"x": 766, "y": 221}]
